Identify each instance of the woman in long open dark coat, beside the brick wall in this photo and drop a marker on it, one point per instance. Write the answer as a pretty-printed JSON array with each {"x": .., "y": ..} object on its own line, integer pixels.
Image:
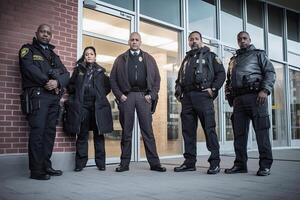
[{"x": 88, "y": 88}]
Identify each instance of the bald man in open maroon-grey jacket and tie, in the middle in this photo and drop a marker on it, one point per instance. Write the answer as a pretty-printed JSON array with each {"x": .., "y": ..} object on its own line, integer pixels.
[{"x": 135, "y": 81}]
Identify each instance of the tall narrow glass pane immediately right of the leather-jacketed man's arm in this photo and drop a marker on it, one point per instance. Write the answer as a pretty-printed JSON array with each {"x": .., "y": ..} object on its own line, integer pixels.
[{"x": 278, "y": 108}]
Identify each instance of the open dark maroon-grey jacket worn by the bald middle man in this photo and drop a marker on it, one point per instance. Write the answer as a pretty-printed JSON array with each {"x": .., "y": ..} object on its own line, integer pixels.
[{"x": 119, "y": 75}]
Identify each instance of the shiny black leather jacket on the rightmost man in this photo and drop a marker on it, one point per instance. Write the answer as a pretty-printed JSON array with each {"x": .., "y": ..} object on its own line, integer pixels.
[{"x": 250, "y": 65}]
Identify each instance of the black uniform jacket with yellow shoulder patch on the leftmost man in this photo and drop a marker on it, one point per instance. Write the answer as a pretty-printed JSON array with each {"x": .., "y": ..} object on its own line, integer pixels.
[{"x": 35, "y": 67}]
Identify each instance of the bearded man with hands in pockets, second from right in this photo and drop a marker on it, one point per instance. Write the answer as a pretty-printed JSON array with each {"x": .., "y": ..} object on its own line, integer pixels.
[{"x": 200, "y": 77}]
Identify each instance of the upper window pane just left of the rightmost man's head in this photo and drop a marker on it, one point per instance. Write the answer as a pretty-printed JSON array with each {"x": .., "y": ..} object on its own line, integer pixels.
[{"x": 231, "y": 21}]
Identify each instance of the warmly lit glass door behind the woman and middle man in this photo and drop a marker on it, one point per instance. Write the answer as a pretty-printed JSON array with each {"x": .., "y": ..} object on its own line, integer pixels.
[{"x": 108, "y": 31}]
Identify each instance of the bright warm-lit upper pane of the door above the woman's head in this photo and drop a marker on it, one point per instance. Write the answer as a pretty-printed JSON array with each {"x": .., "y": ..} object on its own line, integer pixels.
[{"x": 105, "y": 25}]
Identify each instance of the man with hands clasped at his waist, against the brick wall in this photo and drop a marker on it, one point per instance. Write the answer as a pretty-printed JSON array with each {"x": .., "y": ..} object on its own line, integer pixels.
[{"x": 43, "y": 79}]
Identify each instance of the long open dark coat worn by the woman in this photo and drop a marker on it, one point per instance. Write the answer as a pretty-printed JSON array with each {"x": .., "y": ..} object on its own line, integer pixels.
[{"x": 103, "y": 114}]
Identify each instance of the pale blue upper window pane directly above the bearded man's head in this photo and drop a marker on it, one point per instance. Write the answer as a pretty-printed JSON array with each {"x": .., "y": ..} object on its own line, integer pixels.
[{"x": 202, "y": 17}]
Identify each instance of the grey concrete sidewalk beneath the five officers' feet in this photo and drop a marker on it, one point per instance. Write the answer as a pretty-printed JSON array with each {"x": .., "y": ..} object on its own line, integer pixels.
[{"x": 140, "y": 183}]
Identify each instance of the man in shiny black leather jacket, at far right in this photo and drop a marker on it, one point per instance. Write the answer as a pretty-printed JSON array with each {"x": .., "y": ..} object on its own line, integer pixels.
[{"x": 250, "y": 80}]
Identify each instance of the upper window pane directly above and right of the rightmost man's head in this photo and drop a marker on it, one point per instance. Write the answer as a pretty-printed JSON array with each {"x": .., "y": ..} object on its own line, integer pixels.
[{"x": 255, "y": 23}]
